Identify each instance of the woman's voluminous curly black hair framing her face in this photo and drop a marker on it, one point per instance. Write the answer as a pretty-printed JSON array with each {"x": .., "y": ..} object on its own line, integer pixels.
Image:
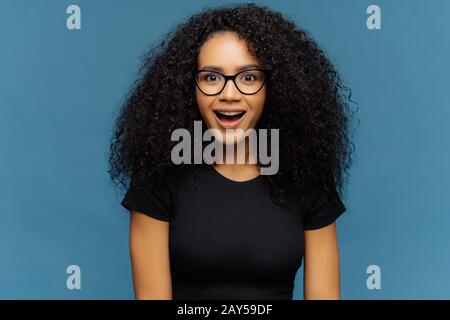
[{"x": 305, "y": 100}]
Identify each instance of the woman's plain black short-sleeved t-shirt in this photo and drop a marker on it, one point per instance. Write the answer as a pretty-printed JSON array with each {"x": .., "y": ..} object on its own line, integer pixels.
[{"x": 228, "y": 239}]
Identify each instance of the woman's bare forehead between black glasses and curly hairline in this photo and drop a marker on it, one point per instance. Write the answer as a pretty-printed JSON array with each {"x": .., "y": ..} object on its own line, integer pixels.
[{"x": 226, "y": 52}]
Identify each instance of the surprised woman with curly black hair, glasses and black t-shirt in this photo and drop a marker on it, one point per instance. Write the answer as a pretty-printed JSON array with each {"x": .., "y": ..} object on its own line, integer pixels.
[{"x": 224, "y": 231}]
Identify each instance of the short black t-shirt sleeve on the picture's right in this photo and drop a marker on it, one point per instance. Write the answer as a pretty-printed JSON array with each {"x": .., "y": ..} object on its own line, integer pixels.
[{"x": 331, "y": 208}]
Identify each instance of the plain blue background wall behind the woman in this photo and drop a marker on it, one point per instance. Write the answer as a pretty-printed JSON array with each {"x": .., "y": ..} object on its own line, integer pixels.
[{"x": 60, "y": 91}]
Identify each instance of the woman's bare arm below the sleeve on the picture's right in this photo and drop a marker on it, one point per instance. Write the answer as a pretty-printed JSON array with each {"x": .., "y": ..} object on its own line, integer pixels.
[{"x": 321, "y": 278}]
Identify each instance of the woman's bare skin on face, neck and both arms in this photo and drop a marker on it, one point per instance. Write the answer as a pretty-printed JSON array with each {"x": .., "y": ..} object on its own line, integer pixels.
[{"x": 149, "y": 237}]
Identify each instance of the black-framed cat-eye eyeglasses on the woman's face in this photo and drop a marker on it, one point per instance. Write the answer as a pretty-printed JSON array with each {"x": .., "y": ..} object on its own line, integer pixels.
[{"x": 248, "y": 82}]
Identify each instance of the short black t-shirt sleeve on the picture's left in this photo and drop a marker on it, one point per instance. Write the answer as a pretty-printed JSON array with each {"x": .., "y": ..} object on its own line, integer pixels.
[{"x": 155, "y": 200}]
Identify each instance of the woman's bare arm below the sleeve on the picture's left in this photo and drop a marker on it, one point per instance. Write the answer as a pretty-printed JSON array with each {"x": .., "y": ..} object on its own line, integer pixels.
[{"x": 149, "y": 252}]
